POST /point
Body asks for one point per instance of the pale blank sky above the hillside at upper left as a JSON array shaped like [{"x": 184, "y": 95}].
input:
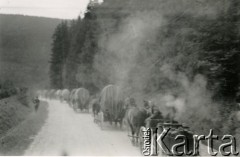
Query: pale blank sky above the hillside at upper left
[{"x": 64, "y": 9}]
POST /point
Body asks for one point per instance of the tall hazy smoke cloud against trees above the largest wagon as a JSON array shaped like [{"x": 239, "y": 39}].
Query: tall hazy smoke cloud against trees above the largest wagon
[{"x": 122, "y": 50}]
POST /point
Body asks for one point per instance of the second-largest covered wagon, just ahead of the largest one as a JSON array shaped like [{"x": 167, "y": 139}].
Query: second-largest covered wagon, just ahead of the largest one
[{"x": 81, "y": 99}]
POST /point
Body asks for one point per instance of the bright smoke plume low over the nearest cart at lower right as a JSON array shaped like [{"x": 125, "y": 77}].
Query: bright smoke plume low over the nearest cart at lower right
[{"x": 193, "y": 102}]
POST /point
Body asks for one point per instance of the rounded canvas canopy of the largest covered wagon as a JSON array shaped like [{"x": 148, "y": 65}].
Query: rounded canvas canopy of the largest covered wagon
[{"x": 112, "y": 100}]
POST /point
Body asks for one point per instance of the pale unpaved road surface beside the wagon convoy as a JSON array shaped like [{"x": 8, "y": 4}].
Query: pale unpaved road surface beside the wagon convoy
[{"x": 68, "y": 133}]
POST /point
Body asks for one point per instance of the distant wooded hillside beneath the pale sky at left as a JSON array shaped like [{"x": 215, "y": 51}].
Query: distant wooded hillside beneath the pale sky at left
[{"x": 25, "y": 46}]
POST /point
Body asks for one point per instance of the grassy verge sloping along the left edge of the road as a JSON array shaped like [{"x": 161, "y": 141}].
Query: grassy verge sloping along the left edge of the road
[{"x": 17, "y": 140}]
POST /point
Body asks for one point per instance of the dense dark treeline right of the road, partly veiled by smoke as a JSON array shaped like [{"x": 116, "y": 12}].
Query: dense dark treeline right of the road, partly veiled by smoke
[{"x": 178, "y": 52}]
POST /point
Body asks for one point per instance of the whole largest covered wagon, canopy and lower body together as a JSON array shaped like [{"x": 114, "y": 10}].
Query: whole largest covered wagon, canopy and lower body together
[{"x": 112, "y": 104}]
